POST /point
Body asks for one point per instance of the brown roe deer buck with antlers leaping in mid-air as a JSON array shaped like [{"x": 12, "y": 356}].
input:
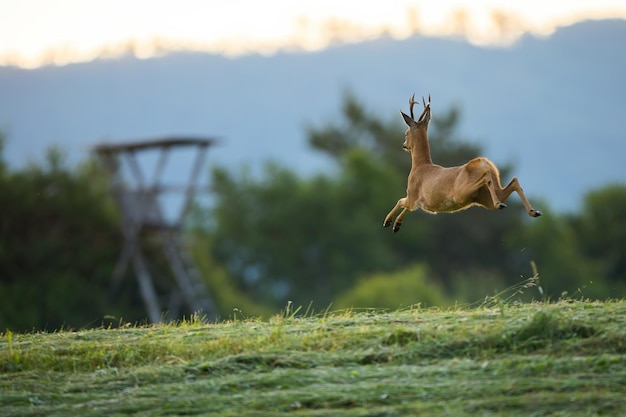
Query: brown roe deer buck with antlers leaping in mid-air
[{"x": 437, "y": 189}]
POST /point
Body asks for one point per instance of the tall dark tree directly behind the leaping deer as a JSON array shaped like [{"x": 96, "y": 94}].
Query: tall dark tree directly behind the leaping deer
[{"x": 476, "y": 237}]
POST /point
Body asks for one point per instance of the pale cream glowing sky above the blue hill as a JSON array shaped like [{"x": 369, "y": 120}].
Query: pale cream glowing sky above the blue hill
[{"x": 41, "y": 32}]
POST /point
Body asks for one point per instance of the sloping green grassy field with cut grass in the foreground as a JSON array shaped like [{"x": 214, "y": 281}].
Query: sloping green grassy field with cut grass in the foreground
[{"x": 562, "y": 359}]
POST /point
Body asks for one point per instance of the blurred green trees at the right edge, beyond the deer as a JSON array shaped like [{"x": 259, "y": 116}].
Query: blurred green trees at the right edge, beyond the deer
[{"x": 583, "y": 254}]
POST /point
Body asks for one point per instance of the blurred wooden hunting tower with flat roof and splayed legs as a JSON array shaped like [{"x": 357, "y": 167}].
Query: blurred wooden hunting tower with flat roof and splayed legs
[{"x": 139, "y": 200}]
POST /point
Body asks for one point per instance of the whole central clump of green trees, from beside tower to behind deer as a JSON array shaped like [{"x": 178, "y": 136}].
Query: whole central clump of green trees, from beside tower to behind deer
[{"x": 283, "y": 237}]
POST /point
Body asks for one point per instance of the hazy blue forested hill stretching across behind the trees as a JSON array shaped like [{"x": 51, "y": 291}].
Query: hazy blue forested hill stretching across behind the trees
[{"x": 554, "y": 106}]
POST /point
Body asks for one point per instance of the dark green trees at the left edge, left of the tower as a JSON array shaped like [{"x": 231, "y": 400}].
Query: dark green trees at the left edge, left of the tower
[{"x": 59, "y": 240}]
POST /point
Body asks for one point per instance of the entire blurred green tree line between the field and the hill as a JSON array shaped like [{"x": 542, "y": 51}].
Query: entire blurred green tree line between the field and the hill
[{"x": 277, "y": 237}]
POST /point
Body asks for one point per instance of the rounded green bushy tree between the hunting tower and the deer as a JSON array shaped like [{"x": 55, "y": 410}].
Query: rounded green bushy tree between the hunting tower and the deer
[{"x": 286, "y": 238}]
